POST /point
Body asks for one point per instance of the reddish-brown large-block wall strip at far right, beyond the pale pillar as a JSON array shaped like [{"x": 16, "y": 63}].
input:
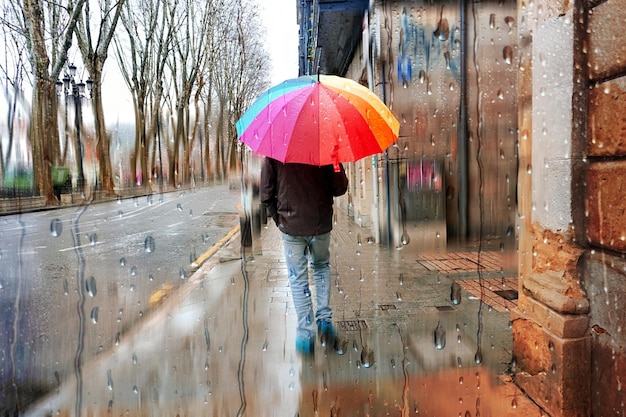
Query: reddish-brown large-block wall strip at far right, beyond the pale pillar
[{"x": 603, "y": 217}]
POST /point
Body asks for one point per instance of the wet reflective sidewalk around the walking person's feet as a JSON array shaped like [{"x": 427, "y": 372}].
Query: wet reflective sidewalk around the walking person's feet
[{"x": 416, "y": 339}]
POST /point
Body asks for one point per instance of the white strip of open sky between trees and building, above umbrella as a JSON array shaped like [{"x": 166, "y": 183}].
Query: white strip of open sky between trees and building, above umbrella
[{"x": 280, "y": 21}]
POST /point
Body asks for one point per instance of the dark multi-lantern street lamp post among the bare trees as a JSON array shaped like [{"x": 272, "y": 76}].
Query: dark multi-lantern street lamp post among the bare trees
[{"x": 69, "y": 87}]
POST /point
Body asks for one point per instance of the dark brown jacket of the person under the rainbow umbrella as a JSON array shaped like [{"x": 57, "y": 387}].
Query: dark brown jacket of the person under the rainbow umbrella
[{"x": 299, "y": 197}]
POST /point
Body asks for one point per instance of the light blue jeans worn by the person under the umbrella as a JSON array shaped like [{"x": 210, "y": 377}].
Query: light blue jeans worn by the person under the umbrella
[{"x": 299, "y": 251}]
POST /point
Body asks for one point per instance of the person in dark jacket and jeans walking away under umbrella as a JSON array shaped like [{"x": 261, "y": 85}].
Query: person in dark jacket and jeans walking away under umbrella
[{"x": 299, "y": 198}]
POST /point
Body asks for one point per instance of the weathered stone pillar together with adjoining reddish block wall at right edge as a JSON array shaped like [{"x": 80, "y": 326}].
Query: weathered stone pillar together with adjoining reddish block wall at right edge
[{"x": 569, "y": 343}]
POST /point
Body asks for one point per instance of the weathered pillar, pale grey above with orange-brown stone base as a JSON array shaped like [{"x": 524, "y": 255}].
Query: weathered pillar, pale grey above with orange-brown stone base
[{"x": 550, "y": 325}]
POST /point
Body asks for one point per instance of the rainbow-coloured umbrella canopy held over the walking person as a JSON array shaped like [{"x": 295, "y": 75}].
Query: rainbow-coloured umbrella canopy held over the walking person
[{"x": 318, "y": 120}]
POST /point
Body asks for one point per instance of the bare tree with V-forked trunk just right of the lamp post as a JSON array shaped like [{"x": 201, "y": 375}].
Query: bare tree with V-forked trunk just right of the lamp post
[{"x": 94, "y": 53}]
